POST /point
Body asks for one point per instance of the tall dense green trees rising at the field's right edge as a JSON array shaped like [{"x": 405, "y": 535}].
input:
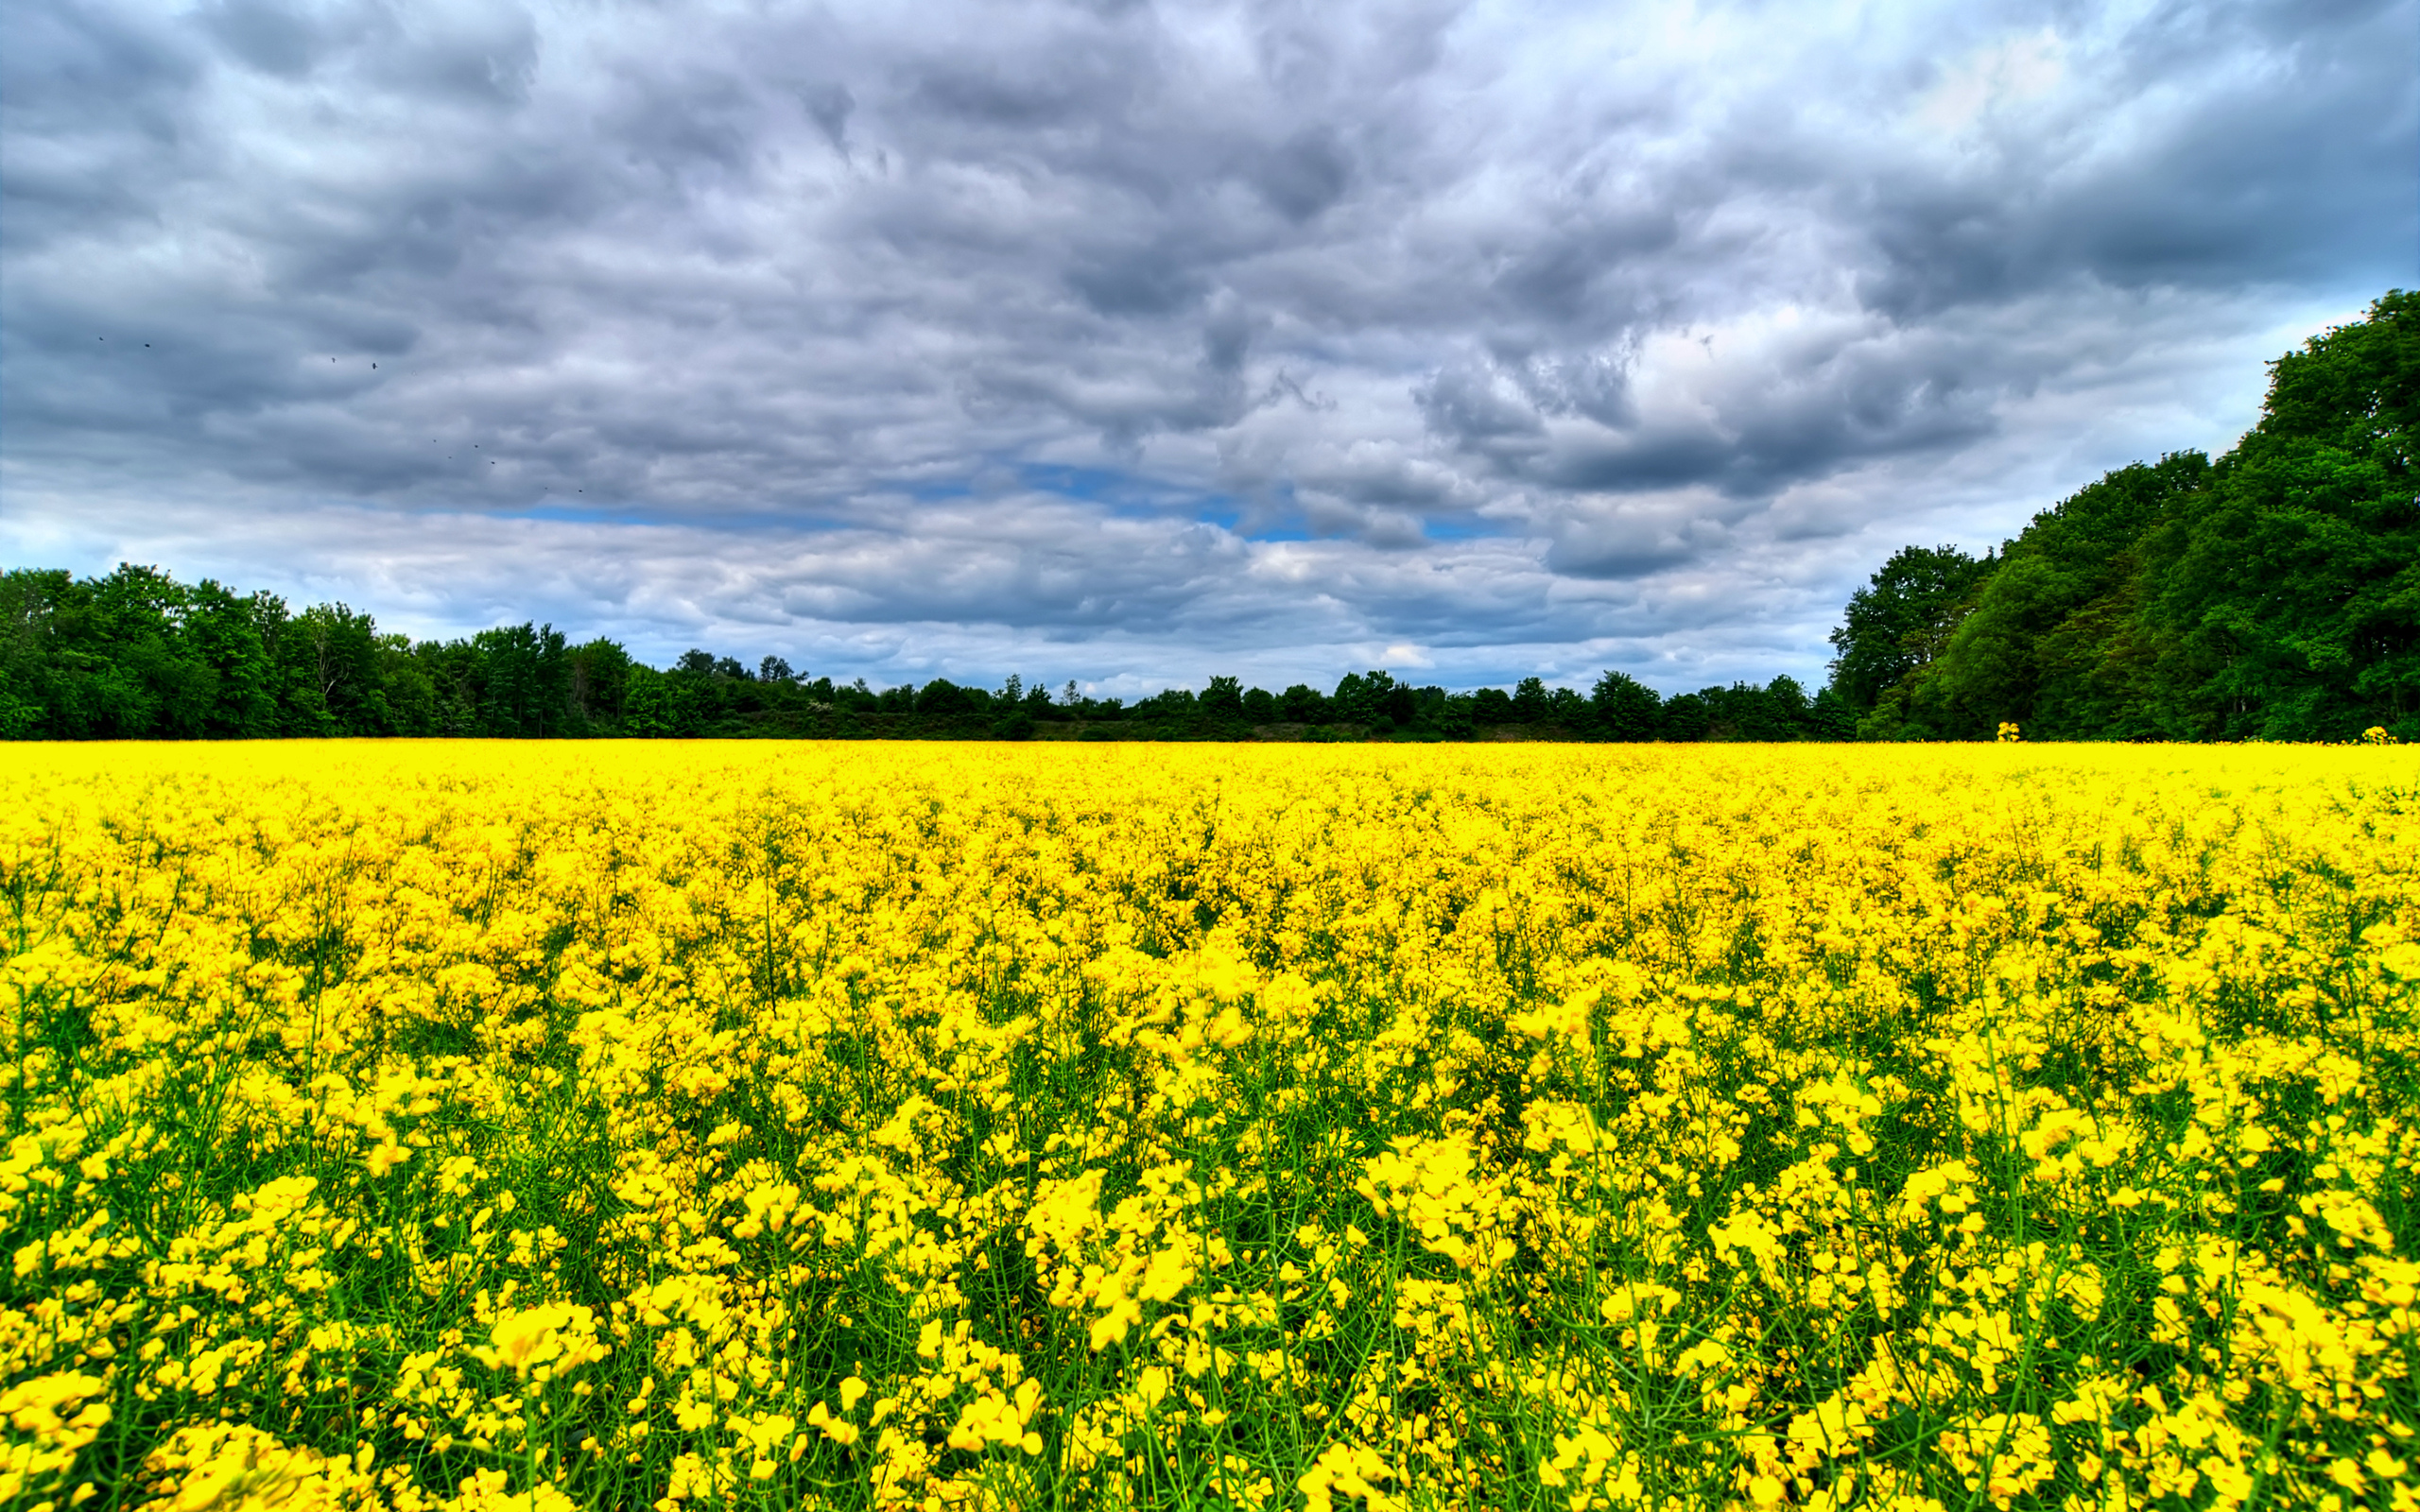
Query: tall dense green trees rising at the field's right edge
[{"x": 2271, "y": 594}]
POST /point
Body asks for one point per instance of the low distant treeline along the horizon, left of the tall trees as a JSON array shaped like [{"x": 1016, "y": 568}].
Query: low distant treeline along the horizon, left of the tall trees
[{"x": 139, "y": 654}]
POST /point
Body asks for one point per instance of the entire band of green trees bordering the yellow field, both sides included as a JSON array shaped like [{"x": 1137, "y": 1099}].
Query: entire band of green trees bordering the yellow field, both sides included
[{"x": 2271, "y": 594}]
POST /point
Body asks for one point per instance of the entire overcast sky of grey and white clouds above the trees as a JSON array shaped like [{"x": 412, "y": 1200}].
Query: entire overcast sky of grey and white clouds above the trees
[{"x": 1146, "y": 340}]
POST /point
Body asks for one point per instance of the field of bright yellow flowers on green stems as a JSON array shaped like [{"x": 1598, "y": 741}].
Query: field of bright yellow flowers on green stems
[{"x": 1318, "y": 1129}]
